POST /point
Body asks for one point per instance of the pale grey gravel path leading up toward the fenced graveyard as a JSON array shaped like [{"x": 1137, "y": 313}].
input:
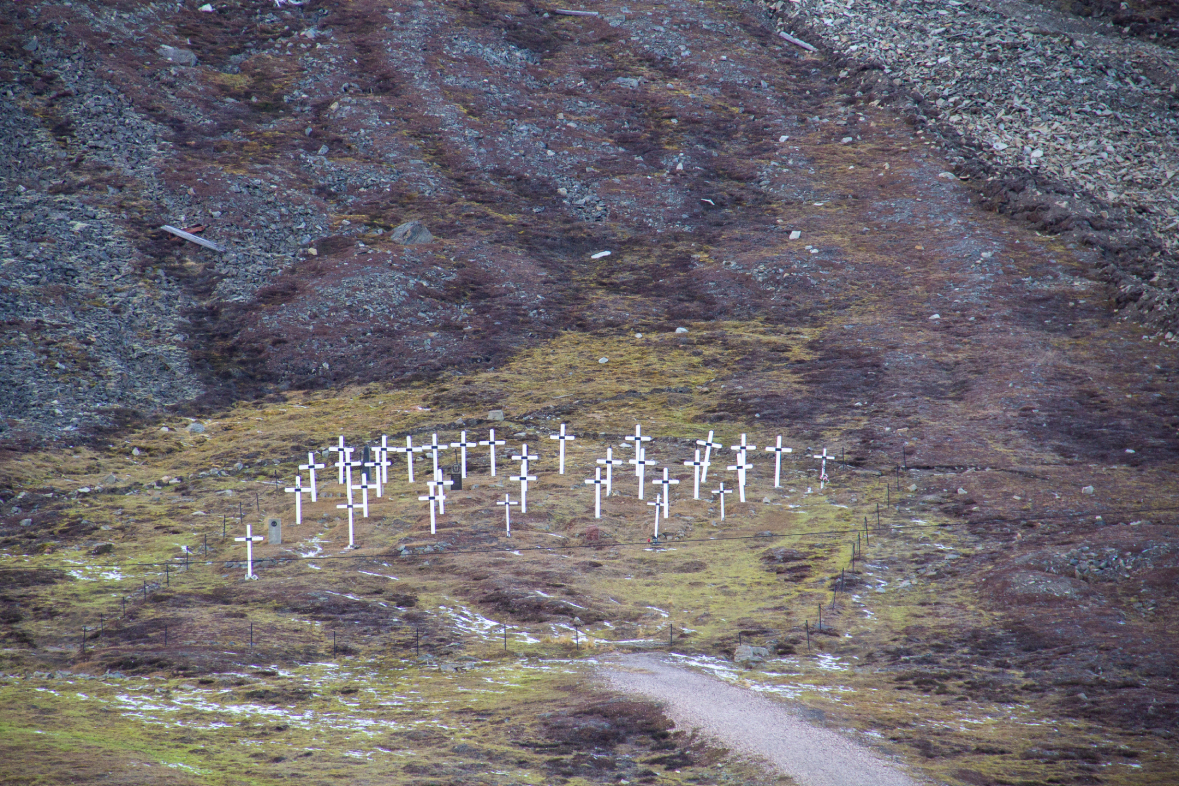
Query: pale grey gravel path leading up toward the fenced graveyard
[{"x": 749, "y": 723}]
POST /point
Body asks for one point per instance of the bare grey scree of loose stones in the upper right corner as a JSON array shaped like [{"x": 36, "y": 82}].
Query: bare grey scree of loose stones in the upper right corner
[{"x": 1076, "y": 123}]
